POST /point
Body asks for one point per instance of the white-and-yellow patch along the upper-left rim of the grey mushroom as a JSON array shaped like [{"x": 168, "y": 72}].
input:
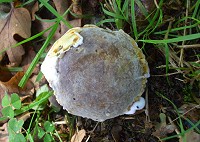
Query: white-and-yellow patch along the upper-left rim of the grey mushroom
[{"x": 71, "y": 38}]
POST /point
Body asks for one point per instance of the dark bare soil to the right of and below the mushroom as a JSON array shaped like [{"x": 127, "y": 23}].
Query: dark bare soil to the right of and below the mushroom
[{"x": 140, "y": 127}]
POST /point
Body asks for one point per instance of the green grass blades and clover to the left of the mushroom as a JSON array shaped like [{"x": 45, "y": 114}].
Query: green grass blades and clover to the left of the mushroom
[{"x": 10, "y": 112}]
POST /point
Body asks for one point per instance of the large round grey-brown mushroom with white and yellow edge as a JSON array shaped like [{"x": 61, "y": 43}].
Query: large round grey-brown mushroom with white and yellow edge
[{"x": 97, "y": 73}]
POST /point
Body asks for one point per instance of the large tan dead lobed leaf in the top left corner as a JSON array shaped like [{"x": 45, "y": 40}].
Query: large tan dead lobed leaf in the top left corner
[{"x": 16, "y": 22}]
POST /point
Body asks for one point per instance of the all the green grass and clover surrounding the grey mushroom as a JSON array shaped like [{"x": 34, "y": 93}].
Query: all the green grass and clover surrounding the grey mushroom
[{"x": 172, "y": 36}]
